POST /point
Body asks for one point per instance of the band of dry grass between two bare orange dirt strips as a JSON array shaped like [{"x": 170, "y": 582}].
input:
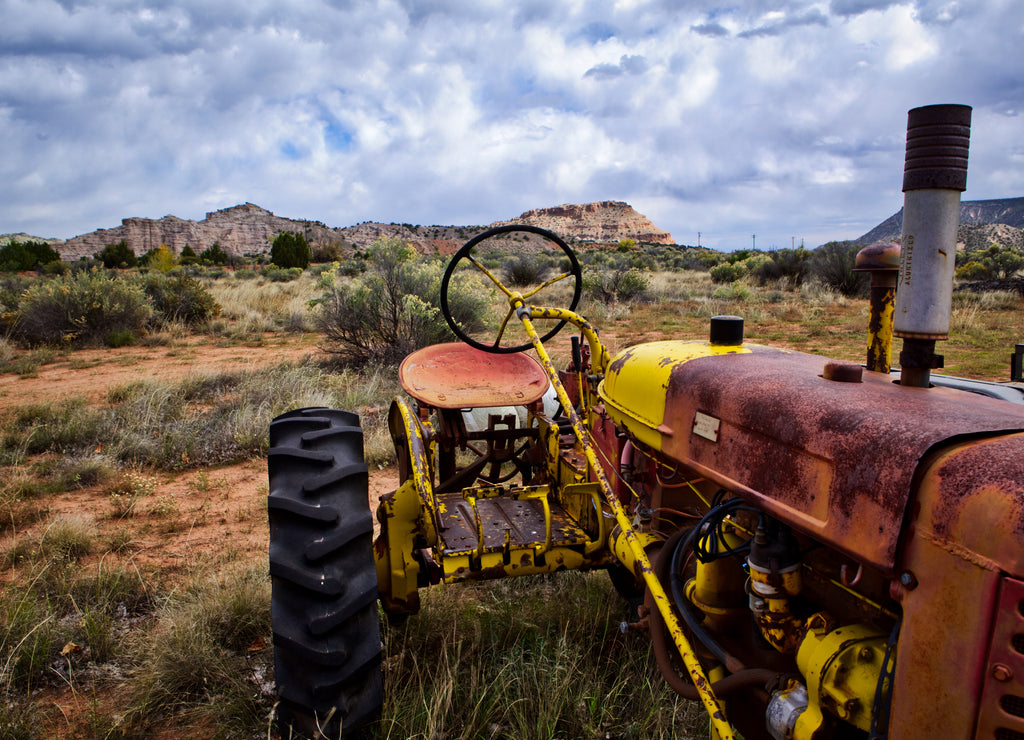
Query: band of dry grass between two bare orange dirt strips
[{"x": 202, "y": 420}]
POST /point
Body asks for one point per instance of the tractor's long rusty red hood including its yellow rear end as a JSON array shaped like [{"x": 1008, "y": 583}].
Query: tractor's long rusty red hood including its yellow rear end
[{"x": 836, "y": 460}]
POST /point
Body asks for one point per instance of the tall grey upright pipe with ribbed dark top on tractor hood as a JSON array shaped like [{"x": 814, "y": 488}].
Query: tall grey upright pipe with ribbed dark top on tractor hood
[{"x": 934, "y": 177}]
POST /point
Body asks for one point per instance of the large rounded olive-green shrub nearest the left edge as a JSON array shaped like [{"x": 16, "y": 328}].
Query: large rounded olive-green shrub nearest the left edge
[{"x": 81, "y": 310}]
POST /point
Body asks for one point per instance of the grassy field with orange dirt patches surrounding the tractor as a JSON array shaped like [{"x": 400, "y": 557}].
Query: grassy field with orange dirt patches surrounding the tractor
[{"x": 135, "y": 595}]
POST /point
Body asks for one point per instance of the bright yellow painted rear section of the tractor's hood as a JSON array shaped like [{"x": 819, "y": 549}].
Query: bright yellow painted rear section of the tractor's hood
[{"x": 635, "y": 387}]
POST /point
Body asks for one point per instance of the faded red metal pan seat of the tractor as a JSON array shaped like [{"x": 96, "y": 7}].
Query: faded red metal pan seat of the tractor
[{"x": 457, "y": 376}]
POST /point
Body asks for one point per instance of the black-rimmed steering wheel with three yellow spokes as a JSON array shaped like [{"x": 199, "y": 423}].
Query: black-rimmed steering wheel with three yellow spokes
[{"x": 466, "y": 254}]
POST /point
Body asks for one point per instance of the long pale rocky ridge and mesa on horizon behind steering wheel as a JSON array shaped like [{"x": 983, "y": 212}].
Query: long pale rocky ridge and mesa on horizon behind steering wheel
[{"x": 250, "y": 230}]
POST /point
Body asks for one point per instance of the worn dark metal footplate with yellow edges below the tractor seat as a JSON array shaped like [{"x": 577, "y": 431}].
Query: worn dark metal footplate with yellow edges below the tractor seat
[{"x": 506, "y": 524}]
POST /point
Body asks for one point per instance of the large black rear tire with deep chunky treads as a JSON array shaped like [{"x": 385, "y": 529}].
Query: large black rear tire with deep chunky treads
[{"x": 327, "y": 643}]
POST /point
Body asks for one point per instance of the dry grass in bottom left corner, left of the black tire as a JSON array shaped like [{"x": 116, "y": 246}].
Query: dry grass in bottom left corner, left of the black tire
[{"x": 198, "y": 654}]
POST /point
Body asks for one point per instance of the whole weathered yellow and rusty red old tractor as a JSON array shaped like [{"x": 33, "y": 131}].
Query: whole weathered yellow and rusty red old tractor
[{"x": 820, "y": 549}]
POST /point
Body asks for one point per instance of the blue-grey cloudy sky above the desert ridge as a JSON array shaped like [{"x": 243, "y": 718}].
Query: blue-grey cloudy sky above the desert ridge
[{"x": 785, "y": 119}]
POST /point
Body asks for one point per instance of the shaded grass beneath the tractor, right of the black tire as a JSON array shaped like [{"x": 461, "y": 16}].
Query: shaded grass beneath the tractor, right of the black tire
[{"x": 529, "y": 658}]
